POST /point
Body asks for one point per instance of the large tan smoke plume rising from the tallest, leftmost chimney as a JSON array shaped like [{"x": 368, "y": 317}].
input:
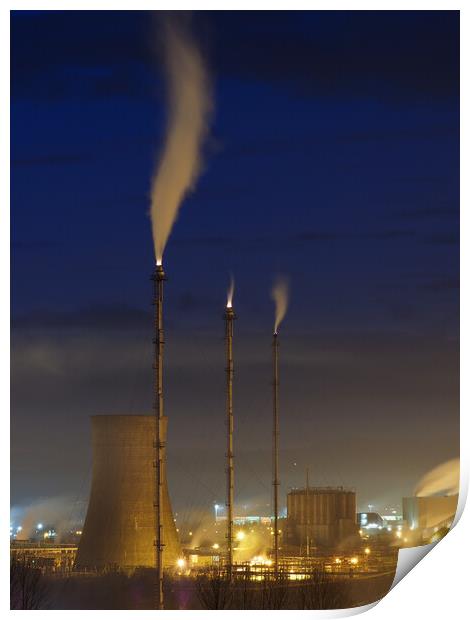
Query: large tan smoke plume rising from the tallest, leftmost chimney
[{"x": 190, "y": 104}]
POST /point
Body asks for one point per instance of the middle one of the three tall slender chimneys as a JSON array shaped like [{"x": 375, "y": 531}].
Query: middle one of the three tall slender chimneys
[{"x": 229, "y": 318}]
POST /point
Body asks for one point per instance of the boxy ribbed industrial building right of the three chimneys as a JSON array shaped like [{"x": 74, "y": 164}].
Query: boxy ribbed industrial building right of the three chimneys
[{"x": 321, "y": 516}]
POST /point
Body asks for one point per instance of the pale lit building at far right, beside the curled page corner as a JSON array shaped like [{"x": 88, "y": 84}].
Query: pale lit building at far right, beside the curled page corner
[{"x": 422, "y": 513}]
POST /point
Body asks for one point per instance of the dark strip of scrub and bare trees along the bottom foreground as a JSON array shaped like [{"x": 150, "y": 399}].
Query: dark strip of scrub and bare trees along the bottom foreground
[{"x": 211, "y": 590}]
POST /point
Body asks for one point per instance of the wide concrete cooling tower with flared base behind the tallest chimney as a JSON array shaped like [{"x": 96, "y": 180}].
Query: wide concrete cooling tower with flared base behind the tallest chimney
[{"x": 119, "y": 528}]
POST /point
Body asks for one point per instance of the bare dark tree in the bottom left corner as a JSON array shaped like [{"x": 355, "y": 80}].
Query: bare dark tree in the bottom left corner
[{"x": 27, "y": 585}]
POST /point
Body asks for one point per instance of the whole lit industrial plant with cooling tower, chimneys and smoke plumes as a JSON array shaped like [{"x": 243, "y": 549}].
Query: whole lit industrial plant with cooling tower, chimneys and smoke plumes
[{"x": 130, "y": 528}]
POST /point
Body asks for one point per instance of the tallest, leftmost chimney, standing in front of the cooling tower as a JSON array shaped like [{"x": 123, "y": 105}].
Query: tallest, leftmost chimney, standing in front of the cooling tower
[{"x": 159, "y": 278}]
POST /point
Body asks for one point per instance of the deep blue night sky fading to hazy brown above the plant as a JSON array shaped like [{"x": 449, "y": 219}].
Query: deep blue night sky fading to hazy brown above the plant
[{"x": 333, "y": 158}]
